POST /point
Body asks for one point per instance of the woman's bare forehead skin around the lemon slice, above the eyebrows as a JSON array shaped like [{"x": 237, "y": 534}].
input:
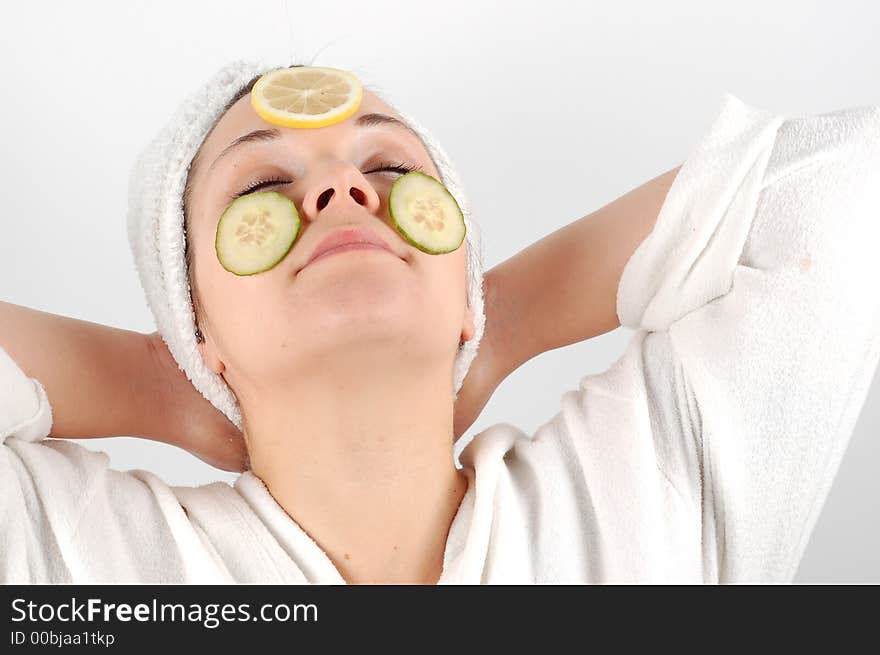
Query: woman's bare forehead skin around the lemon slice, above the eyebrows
[{"x": 241, "y": 118}]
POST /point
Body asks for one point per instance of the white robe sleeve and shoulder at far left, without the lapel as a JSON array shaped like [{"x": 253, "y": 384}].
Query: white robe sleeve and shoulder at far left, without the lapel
[{"x": 67, "y": 517}]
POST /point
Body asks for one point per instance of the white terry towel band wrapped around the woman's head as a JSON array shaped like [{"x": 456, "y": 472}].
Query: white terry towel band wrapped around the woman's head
[{"x": 156, "y": 229}]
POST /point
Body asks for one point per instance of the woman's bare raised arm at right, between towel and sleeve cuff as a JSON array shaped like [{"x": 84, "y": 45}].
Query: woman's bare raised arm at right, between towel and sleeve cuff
[{"x": 563, "y": 288}]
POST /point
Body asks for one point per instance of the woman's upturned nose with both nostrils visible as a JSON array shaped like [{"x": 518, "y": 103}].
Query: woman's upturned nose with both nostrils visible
[{"x": 339, "y": 186}]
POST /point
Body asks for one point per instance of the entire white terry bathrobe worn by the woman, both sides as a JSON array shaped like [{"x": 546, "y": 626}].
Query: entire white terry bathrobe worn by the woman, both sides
[{"x": 704, "y": 454}]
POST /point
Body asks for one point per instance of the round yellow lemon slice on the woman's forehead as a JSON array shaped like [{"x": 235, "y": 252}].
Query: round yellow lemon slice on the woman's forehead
[{"x": 306, "y": 96}]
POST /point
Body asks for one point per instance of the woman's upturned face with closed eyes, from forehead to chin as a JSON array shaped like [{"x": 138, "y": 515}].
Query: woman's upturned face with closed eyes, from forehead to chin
[{"x": 261, "y": 329}]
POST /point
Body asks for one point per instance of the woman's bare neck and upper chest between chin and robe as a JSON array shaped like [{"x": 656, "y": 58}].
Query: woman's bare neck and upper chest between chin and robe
[{"x": 364, "y": 464}]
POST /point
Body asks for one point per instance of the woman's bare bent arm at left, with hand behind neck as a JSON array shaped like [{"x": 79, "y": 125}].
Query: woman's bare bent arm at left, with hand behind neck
[{"x": 103, "y": 381}]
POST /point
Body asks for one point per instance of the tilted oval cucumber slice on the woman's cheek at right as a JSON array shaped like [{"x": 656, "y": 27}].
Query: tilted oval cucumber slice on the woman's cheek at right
[{"x": 426, "y": 214}]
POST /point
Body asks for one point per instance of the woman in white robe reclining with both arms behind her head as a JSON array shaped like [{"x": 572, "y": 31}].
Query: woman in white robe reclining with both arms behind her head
[{"x": 702, "y": 455}]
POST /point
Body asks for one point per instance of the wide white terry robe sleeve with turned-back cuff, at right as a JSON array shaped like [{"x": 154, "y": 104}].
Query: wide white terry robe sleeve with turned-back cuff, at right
[{"x": 756, "y": 306}]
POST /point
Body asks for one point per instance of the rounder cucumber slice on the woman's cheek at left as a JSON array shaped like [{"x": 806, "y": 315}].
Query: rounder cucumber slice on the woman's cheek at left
[{"x": 255, "y": 232}]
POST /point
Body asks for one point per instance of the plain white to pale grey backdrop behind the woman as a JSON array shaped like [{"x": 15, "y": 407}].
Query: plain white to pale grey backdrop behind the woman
[{"x": 549, "y": 109}]
